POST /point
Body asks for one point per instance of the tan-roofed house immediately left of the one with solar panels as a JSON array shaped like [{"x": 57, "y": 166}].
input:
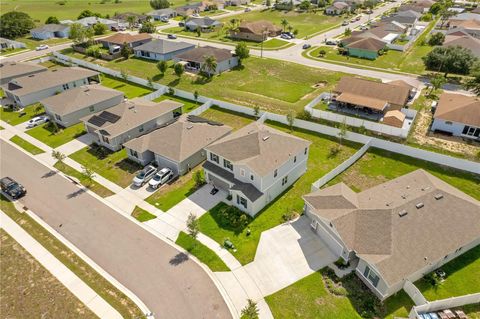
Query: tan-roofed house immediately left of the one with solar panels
[{"x": 67, "y": 108}]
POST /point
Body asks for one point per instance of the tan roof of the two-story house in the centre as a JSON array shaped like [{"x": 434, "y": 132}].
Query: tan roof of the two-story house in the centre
[{"x": 260, "y": 147}]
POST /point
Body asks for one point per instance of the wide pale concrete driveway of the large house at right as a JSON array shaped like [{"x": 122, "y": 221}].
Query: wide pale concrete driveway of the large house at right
[{"x": 286, "y": 254}]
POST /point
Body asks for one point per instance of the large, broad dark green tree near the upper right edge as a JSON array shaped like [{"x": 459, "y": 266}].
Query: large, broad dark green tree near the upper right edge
[{"x": 452, "y": 59}]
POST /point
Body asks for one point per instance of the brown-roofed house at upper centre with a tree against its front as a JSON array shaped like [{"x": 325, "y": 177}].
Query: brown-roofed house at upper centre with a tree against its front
[{"x": 194, "y": 59}]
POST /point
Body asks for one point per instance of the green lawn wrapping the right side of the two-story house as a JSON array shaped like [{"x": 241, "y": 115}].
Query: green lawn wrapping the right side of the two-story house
[{"x": 319, "y": 163}]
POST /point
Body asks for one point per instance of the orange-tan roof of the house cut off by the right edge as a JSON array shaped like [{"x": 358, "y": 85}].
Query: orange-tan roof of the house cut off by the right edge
[{"x": 458, "y": 108}]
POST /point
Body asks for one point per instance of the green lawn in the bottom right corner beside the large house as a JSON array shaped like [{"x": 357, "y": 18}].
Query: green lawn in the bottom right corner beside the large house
[{"x": 463, "y": 277}]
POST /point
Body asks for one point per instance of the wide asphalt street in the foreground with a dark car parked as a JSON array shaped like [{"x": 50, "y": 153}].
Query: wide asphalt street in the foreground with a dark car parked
[{"x": 156, "y": 272}]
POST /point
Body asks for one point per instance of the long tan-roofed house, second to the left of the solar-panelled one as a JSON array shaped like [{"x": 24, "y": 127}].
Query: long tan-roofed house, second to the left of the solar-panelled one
[{"x": 32, "y": 88}]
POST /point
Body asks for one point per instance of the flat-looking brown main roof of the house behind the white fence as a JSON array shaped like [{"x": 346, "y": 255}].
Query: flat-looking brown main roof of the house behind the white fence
[{"x": 393, "y": 94}]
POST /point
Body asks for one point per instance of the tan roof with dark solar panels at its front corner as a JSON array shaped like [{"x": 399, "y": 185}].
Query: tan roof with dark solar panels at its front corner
[{"x": 129, "y": 115}]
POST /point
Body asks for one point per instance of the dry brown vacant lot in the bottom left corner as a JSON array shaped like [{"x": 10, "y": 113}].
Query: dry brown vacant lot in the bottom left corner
[{"x": 29, "y": 290}]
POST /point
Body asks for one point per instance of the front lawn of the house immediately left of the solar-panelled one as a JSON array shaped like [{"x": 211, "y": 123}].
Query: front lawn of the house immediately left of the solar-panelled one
[{"x": 46, "y": 134}]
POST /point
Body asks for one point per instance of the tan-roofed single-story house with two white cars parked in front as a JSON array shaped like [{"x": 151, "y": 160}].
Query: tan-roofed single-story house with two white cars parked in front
[{"x": 177, "y": 145}]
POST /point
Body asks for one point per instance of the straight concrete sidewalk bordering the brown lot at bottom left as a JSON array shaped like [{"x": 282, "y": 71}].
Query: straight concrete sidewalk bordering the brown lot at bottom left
[{"x": 80, "y": 289}]
